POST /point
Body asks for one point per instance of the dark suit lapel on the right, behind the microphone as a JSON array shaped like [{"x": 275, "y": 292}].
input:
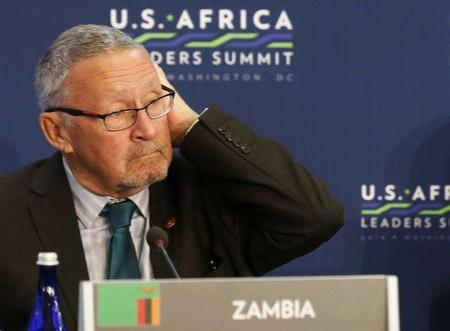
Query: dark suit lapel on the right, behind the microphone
[{"x": 162, "y": 214}]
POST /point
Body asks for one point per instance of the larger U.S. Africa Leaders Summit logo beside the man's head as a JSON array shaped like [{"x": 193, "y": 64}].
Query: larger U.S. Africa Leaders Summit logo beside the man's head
[{"x": 214, "y": 44}]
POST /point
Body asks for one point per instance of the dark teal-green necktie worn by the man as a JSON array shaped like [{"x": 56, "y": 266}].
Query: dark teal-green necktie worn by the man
[{"x": 123, "y": 262}]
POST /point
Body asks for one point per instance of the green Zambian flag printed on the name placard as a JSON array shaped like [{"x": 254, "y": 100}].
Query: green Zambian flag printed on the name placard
[{"x": 128, "y": 305}]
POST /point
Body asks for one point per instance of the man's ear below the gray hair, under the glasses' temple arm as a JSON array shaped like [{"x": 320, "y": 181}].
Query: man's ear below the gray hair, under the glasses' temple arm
[{"x": 55, "y": 131}]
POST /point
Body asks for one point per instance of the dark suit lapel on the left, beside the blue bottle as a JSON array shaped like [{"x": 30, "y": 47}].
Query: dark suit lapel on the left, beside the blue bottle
[{"x": 56, "y": 223}]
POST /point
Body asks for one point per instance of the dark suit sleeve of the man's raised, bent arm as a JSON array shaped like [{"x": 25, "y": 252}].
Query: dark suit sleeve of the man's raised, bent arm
[{"x": 286, "y": 210}]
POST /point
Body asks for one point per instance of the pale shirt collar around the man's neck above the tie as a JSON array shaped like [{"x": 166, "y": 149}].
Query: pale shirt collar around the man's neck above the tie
[{"x": 88, "y": 205}]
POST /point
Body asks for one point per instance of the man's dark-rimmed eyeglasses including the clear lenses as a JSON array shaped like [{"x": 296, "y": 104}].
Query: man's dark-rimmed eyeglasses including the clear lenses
[{"x": 126, "y": 118}]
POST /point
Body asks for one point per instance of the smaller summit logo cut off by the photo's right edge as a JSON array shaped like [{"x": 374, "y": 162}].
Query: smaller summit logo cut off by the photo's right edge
[{"x": 420, "y": 212}]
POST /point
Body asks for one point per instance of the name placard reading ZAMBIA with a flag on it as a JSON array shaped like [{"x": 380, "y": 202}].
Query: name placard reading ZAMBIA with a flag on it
[{"x": 347, "y": 303}]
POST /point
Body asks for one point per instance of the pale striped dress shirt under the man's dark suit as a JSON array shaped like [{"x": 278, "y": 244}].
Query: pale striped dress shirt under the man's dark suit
[{"x": 96, "y": 230}]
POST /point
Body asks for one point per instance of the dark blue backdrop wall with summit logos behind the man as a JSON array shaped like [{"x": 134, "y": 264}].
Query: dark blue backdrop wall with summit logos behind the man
[{"x": 357, "y": 90}]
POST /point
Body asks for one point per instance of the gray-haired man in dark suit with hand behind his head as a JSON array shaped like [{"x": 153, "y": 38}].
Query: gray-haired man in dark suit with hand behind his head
[{"x": 233, "y": 203}]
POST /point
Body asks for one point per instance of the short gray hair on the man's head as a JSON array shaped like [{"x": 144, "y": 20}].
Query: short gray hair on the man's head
[{"x": 77, "y": 43}]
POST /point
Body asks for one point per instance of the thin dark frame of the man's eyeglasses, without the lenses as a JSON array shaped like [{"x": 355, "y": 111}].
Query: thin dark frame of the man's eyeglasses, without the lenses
[{"x": 77, "y": 112}]
